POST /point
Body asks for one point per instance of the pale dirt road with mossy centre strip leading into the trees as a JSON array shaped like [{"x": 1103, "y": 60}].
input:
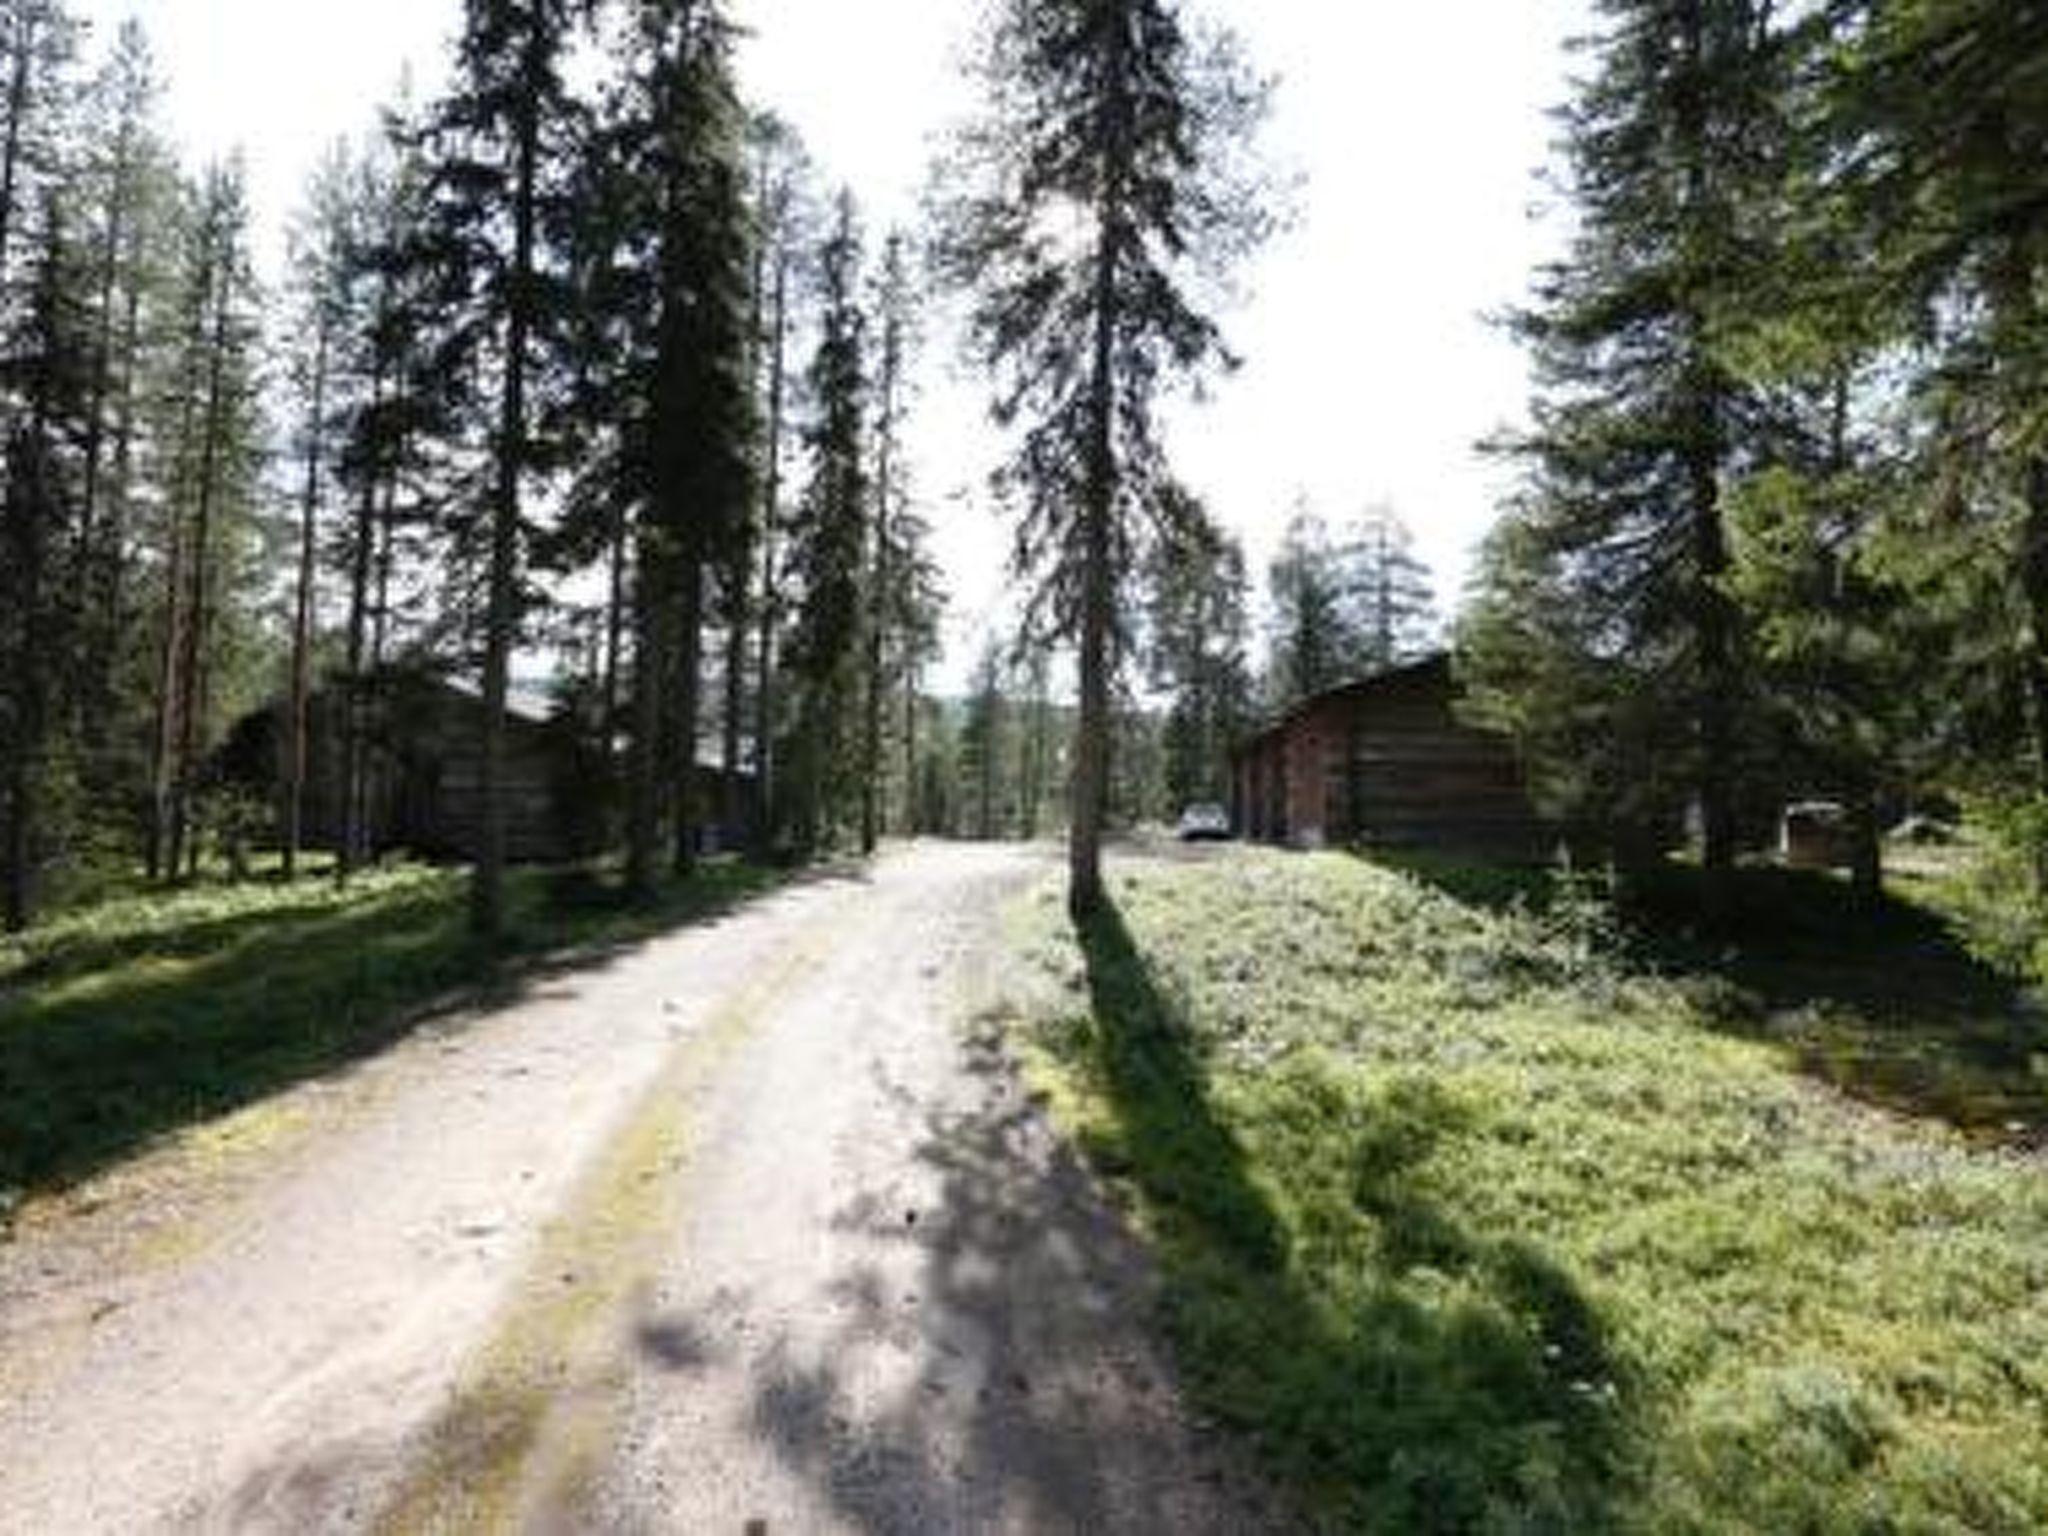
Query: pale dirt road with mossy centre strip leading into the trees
[{"x": 740, "y": 1232}]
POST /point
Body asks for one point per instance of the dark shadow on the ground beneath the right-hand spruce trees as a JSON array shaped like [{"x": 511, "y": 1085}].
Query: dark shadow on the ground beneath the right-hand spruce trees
[{"x": 1885, "y": 1000}]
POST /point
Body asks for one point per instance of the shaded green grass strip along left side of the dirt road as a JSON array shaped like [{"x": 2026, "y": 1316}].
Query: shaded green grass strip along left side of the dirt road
[{"x": 161, "y": 1011}]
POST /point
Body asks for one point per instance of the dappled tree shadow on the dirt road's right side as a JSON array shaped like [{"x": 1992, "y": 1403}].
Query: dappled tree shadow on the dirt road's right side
[{"x": 1009, "y": 1320}]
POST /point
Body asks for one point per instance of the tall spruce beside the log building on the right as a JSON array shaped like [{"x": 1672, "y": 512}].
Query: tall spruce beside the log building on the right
[{"x": 1639, "y": 417}]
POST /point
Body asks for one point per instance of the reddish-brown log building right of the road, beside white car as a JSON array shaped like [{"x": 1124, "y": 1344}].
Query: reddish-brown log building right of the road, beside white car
[{"x": 1385, "y": 763}]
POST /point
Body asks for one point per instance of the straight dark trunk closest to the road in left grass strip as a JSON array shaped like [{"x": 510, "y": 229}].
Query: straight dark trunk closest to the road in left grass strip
[{"x": 486, "y": 910}]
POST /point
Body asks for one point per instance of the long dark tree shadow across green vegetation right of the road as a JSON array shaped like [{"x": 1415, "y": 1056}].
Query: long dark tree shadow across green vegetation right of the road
[{"x": 1416, "y": 1375}]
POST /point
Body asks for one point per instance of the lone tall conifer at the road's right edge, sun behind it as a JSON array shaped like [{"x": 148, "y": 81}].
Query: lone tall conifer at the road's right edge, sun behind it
[{"x": 1093, "y": 202}]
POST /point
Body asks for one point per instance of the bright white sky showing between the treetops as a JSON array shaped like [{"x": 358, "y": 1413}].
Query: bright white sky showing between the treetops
[{"x": 1371, "y": 372}]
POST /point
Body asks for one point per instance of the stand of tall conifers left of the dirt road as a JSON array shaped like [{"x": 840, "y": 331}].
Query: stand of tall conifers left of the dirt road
[{"x": 587, "y": 390}]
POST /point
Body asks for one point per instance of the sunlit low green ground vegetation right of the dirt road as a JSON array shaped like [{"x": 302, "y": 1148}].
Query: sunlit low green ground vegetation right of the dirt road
[{"x": 1480, "y": 1222}]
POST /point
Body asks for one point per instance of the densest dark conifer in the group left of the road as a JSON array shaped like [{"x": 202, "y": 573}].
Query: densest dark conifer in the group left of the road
[{"x": 679, "y": 284}]
